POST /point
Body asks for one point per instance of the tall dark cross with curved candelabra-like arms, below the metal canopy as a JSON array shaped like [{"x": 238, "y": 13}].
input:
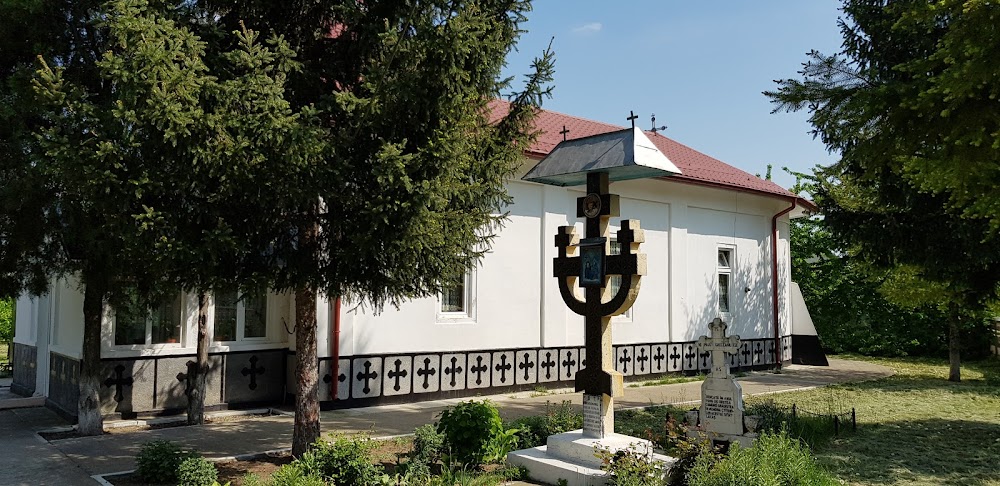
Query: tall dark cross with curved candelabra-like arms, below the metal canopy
[{"x": 592, "y": 269}]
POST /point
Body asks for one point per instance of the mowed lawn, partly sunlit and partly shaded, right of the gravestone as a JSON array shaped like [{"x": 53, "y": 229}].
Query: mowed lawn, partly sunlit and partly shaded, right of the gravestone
[{"x": 914, "y": 428}]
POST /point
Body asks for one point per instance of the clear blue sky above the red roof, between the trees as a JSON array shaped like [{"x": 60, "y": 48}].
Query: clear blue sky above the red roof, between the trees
[{"x": 700, "y": 66}]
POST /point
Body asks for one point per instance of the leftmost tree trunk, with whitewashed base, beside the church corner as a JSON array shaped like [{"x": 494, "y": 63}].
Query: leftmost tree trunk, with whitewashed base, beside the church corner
[{"x": 89, "y": 417}]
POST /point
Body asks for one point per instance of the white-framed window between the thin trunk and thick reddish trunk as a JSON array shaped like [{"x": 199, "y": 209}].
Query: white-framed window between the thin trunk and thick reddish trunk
[{"x": 239, "y": 318}]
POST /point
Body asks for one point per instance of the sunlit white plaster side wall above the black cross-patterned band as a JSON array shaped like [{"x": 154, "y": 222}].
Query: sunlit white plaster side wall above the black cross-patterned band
[{"x": 518, "y": 302}]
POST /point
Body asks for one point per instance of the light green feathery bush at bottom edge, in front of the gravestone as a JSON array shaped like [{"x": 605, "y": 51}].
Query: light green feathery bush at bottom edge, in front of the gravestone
[{"x": 774, "y": 460}]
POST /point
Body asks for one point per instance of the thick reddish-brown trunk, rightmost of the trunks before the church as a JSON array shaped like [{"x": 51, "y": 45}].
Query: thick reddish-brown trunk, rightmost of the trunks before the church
[{"x": 306, "y": 429}]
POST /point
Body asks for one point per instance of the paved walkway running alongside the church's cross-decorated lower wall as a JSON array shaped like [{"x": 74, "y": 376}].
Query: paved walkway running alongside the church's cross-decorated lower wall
[{"x": 115, "y": 452}]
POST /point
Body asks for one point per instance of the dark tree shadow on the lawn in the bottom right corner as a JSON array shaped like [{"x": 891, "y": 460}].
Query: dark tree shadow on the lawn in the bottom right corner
[{"x": 936, "y": 451}]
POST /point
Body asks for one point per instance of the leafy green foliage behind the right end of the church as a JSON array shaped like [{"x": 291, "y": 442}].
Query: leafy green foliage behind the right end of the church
[{"x": 847, "y": 296}]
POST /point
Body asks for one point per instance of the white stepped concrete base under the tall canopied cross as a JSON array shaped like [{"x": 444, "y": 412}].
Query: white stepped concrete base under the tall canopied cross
[{"x": 570, "y": 456}]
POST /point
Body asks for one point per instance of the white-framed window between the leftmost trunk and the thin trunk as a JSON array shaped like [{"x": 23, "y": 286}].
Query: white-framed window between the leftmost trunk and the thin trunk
[{"x": 139, "y": 324}]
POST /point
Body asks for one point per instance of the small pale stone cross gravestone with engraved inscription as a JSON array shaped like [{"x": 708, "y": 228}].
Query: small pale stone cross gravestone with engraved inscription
[{"x": 720, "y": 416}]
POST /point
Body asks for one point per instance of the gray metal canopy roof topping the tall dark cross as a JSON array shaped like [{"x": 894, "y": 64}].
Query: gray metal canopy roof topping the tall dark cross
[{"x": 625, "y": 154}]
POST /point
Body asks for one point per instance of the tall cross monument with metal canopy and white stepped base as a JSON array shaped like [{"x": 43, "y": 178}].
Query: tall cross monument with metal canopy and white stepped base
[{"x": 588, "y": 265}]
